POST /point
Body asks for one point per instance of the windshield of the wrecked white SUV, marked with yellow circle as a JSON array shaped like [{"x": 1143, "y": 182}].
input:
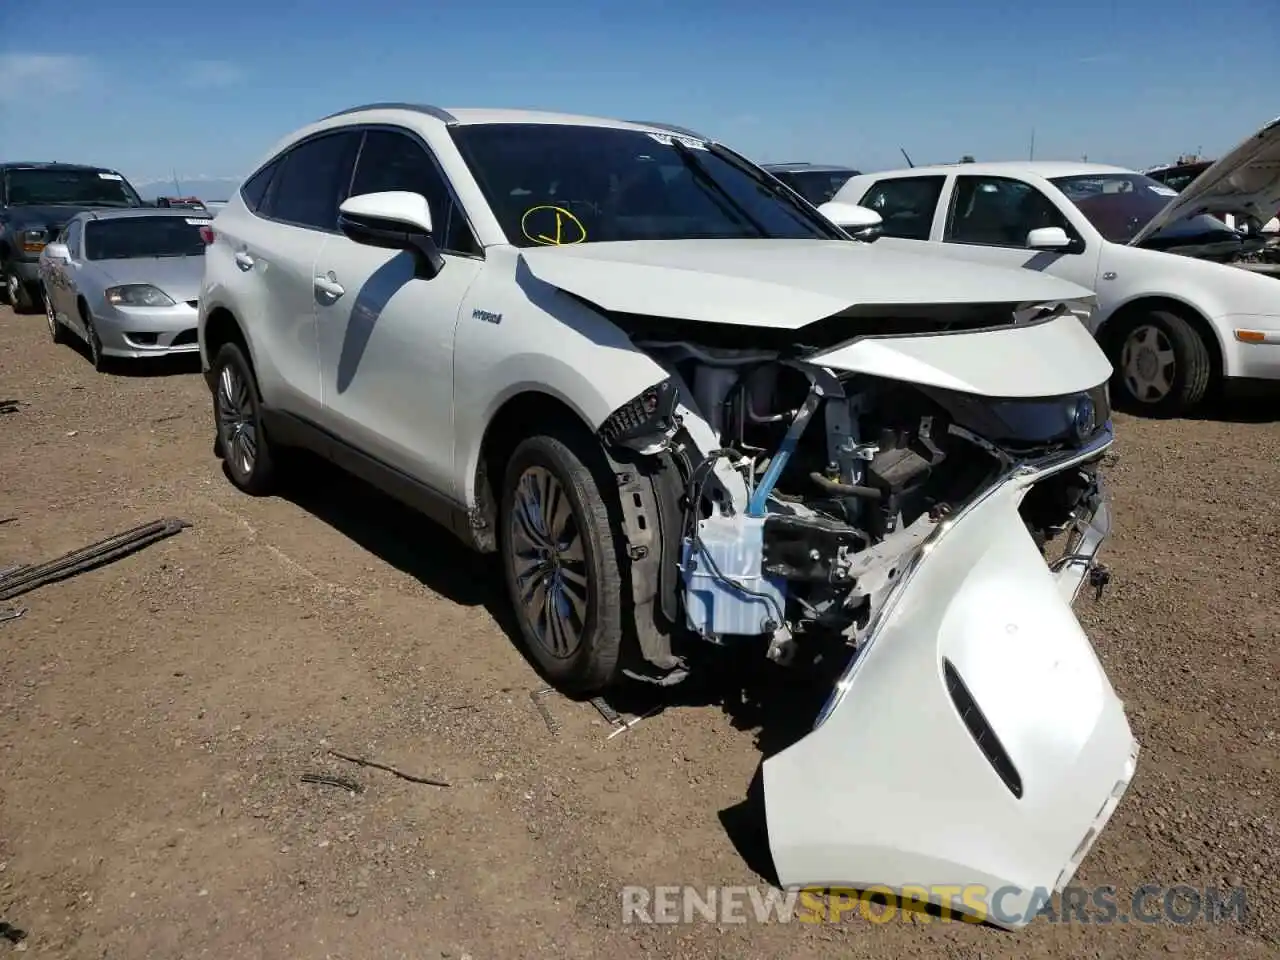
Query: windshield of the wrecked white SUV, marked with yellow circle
[{"x": 563, "y": 184}]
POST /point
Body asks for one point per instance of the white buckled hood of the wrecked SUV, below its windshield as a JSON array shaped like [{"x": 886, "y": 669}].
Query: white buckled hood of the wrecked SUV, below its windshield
[{"x": 776, "y": 284}]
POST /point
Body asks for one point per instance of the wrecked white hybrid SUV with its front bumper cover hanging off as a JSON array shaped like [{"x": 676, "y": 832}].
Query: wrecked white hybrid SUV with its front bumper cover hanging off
[{"x": 685, "y": 408}]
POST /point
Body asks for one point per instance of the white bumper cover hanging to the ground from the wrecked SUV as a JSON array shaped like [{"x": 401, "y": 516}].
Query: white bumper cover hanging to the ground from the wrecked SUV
[{"x": 976, "y": 743}]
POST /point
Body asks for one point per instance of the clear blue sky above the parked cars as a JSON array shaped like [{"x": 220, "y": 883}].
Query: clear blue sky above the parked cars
[{"x": 149, "y": 88}]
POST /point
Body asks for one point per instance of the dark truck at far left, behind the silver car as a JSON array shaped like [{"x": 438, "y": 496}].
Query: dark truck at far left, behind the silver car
[{"x": 36, "y": 202}]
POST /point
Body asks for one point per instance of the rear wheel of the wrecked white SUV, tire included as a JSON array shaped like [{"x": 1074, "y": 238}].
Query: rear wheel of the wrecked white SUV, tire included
[{"x": 246, "y": 454}]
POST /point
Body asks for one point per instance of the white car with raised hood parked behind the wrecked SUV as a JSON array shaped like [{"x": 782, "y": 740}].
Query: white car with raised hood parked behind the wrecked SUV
[{"x": 1169, "y": 324}]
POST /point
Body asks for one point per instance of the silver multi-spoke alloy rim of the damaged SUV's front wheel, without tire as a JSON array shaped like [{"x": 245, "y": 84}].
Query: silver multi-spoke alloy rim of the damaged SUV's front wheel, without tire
[{"x": 550, "y": 563}]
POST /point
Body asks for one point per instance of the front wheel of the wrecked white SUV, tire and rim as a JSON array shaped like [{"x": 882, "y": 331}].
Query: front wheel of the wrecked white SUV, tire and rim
[{"x": 561, "y": 561}]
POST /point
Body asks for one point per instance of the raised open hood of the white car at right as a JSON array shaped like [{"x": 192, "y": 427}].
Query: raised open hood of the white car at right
[{"x": 1246, "y": 181}]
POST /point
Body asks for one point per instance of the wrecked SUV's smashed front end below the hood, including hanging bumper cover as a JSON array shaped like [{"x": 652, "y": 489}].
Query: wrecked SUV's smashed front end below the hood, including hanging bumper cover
[{"x": 932, "y": 502}]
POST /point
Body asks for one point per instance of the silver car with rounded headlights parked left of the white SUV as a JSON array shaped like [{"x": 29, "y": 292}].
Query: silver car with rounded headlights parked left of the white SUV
[{"x": 126, "y": 282}]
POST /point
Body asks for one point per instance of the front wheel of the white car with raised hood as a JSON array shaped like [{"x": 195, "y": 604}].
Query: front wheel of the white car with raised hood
[{"x": 1163, "y": 365}]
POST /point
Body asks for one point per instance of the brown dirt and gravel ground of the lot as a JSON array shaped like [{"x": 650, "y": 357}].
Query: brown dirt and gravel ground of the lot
[{"x": 157, "y": 716}]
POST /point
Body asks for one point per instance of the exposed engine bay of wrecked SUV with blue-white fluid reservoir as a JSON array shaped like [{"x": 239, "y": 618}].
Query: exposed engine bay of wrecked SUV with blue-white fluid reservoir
[{"x": 801, "y": 510}]
